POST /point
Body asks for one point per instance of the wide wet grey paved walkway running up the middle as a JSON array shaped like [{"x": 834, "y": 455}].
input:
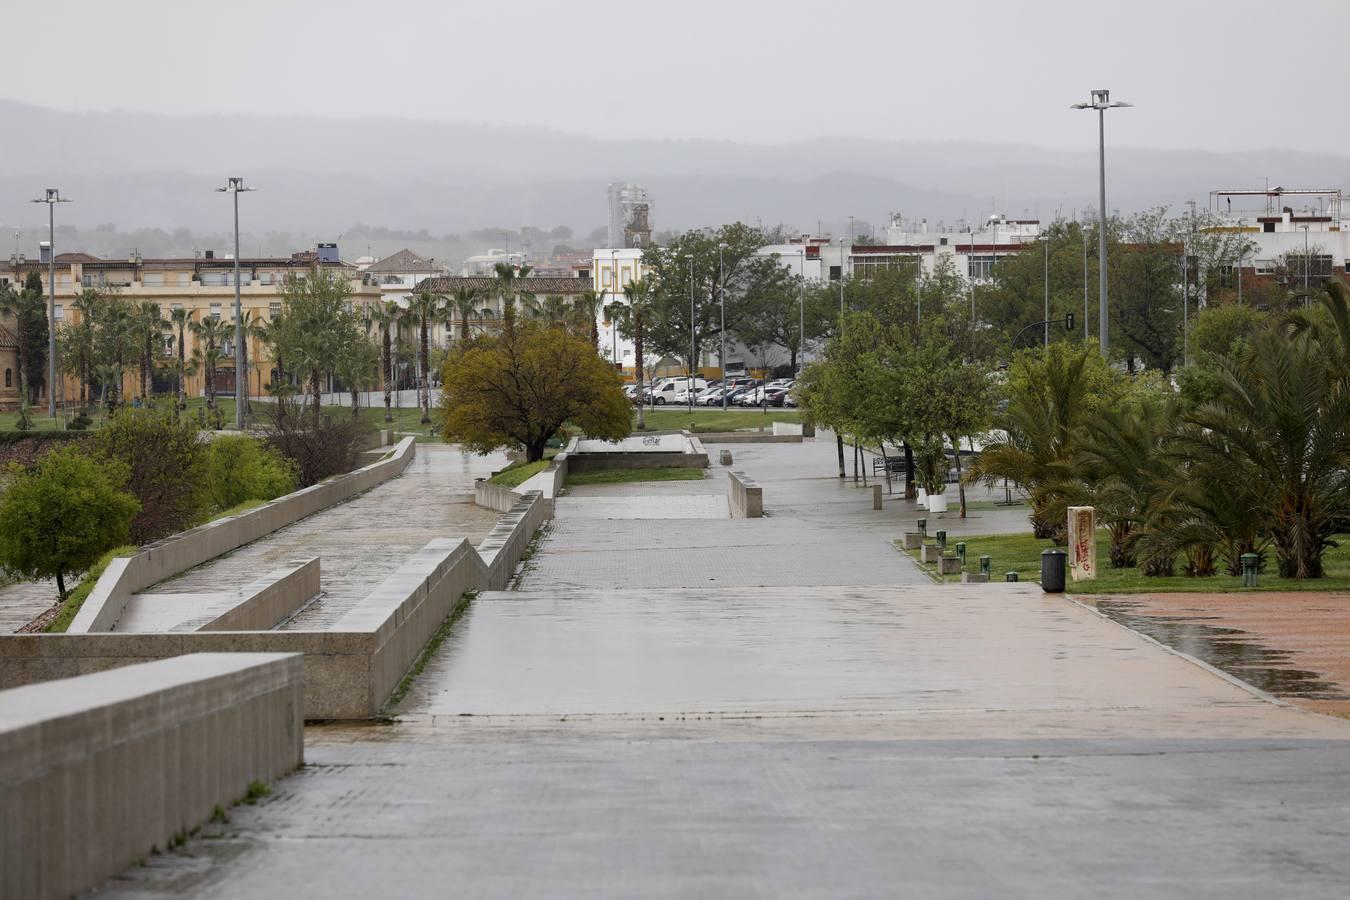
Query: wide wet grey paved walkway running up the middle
[{"x": 596, "y": 736}]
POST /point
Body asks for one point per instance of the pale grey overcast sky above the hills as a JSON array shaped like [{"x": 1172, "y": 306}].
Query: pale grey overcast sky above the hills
[{"x": 1216, "y": 75}]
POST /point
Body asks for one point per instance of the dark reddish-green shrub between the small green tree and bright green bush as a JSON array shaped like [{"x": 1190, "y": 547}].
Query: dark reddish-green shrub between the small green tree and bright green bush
[{"x": 168, "y": 469}]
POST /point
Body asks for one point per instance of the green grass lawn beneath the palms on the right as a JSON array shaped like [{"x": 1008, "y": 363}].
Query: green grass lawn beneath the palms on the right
[{"x": 1023, "y": 554}]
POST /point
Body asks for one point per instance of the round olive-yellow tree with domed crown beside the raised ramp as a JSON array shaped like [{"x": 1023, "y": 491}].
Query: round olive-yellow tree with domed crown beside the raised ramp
[{"x": 518, "y": 389}]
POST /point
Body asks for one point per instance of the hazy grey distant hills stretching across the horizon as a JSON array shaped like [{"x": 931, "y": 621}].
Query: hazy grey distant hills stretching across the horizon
[{"x": 321, "y": 175}]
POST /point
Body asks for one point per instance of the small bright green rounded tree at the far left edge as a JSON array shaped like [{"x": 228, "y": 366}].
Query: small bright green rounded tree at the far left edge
[{"x": 61, "y": 516}]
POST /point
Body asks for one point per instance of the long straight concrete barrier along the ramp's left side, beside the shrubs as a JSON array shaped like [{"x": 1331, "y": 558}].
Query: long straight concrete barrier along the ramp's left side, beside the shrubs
[{"x": 179, "y": 554}]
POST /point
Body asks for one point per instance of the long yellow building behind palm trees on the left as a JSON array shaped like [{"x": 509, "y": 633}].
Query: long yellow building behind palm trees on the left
[{"x": 203, "y": 285}]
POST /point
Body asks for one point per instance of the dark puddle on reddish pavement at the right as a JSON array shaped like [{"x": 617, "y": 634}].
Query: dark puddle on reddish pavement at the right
[{"x": 1231, "y": 651}]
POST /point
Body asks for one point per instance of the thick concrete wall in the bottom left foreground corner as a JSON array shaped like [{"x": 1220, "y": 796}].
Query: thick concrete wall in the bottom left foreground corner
[{"x": 98, "y": 771}]
